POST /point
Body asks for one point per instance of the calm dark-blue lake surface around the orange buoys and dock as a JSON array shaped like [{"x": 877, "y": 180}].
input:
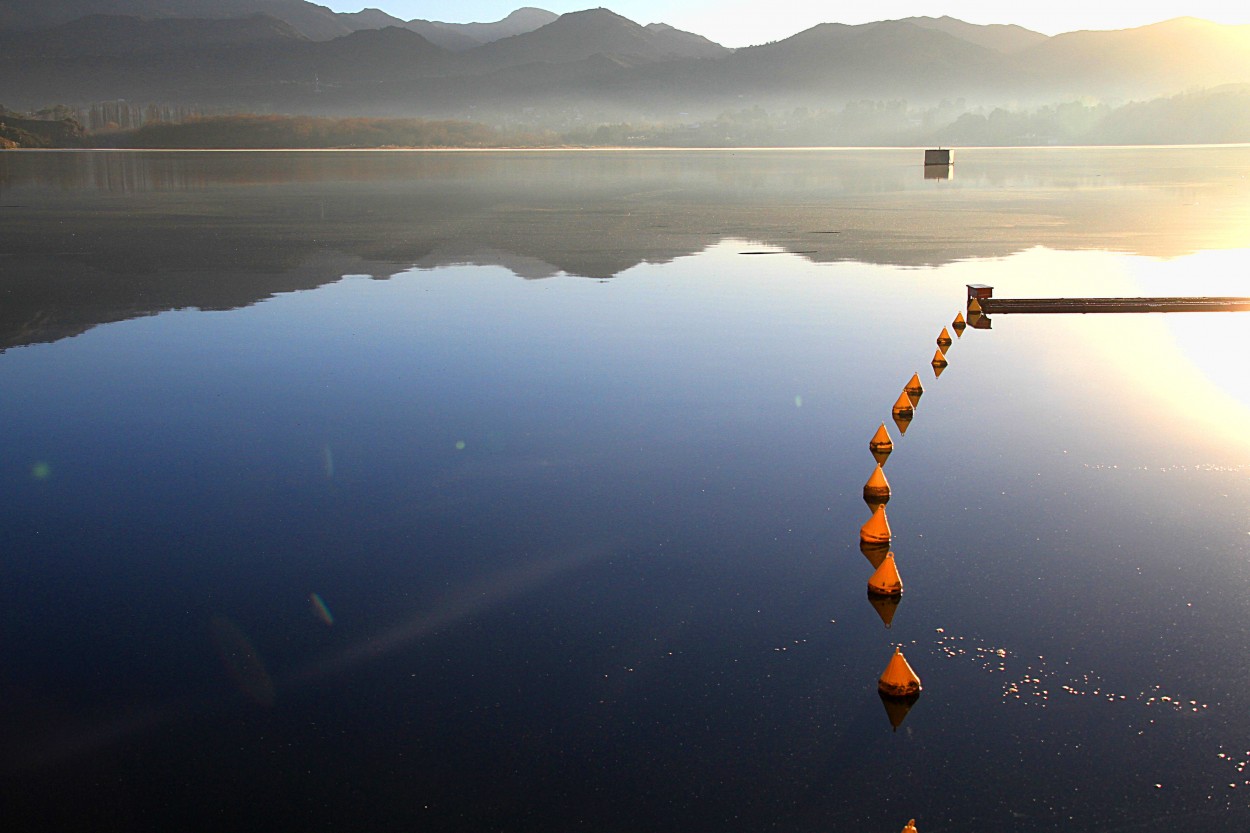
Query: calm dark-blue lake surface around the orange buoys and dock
[{"x": 522, "y": 492}]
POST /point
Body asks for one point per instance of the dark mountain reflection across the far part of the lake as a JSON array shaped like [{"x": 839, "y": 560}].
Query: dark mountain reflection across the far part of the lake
[{"x": 147, "y": 232}]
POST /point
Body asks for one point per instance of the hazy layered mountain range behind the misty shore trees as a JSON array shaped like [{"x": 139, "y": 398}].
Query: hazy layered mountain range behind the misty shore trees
[{"x": 586, "y": 67}]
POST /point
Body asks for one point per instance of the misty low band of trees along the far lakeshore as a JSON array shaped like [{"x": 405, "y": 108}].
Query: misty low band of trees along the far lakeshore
[{"x": 1219, "y": 116}]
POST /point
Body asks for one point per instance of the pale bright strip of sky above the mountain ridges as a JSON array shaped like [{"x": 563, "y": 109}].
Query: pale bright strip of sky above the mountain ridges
[{"x": 744, "y": 23}]
